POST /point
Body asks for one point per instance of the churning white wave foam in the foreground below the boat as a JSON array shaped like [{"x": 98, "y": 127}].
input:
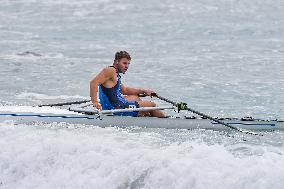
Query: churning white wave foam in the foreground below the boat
[{"x": 39, "y": 157}]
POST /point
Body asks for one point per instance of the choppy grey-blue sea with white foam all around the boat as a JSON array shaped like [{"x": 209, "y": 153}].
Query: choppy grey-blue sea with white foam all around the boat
[{"x": 224, "y": 58}]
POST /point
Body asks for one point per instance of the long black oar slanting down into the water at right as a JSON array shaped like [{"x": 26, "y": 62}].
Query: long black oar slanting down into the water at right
[{"x": 183, "y": 106}]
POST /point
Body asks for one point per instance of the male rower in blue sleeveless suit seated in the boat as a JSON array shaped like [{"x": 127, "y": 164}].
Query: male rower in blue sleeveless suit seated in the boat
[{"x": 114, "y": 95}]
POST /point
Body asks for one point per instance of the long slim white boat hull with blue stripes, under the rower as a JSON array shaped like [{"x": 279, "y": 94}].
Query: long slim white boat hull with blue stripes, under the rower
[{"x": 145, "y": 122}]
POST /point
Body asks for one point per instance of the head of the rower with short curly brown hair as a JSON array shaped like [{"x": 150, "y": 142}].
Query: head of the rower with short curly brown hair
[{"x": 121, "y": 61}]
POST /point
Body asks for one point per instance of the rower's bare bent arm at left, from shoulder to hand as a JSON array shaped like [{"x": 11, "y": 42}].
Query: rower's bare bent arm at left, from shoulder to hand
[{"x": 102, "y": 77}]
